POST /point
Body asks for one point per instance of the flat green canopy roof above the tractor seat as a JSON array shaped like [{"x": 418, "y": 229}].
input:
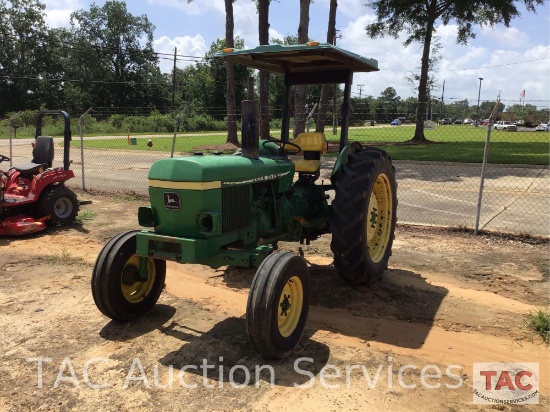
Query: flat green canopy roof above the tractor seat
[{"x": 303, "y": 58}]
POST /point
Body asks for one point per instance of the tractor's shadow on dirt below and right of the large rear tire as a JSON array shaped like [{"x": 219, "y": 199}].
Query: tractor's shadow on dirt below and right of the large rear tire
[{"x": 398, "y": 310}]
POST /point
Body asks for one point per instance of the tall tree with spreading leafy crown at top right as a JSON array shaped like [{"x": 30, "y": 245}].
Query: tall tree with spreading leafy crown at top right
[{"x": 417, "y": 18}]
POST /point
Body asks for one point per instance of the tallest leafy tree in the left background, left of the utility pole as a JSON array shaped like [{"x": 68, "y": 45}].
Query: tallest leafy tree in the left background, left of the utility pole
[{"x": 113, "y": 55}]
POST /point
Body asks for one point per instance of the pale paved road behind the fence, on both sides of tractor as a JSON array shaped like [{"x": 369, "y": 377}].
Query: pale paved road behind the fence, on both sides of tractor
[{"x": 516, "y": 199}]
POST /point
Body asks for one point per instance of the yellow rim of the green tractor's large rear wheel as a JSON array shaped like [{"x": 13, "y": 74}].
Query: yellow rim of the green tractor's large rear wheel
[{"x": 379, "y": 218}]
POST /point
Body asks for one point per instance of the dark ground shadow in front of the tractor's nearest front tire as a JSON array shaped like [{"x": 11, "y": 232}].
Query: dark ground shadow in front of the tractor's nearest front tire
[{"x": 224, "y": 356}]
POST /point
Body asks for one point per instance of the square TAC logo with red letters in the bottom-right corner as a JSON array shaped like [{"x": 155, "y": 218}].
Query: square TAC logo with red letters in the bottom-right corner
[{"x": 506, "y": 383}]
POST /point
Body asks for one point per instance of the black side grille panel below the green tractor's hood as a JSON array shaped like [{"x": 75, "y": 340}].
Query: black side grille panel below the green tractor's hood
[{"x": 235, "y": 208}]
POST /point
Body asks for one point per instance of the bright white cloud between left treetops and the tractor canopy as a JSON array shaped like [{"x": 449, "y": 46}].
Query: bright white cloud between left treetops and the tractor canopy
[{"x": 186, "y": 46}]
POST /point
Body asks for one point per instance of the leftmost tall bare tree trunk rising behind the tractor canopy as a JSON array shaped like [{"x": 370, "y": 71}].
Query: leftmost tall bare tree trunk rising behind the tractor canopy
[{"x": 230, "y": 79}]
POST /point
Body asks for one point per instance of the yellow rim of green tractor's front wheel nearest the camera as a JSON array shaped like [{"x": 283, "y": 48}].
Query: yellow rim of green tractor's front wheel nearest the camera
[{"x": 290, "y": 306}]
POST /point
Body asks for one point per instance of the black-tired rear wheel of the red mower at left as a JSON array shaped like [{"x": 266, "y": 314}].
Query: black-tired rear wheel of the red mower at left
[{"x": 60, "y": 203}]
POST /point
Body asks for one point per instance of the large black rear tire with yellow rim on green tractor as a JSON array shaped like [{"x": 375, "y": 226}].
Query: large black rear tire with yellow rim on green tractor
[{"x": 364, "y": 216}]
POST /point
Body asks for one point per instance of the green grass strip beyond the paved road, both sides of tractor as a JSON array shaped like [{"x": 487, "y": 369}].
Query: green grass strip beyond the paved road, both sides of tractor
[{"x": 452, "y": 144}]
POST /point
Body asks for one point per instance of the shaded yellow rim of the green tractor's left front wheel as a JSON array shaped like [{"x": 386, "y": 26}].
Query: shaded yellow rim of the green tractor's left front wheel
[{"x": 133, "y": 287}]
